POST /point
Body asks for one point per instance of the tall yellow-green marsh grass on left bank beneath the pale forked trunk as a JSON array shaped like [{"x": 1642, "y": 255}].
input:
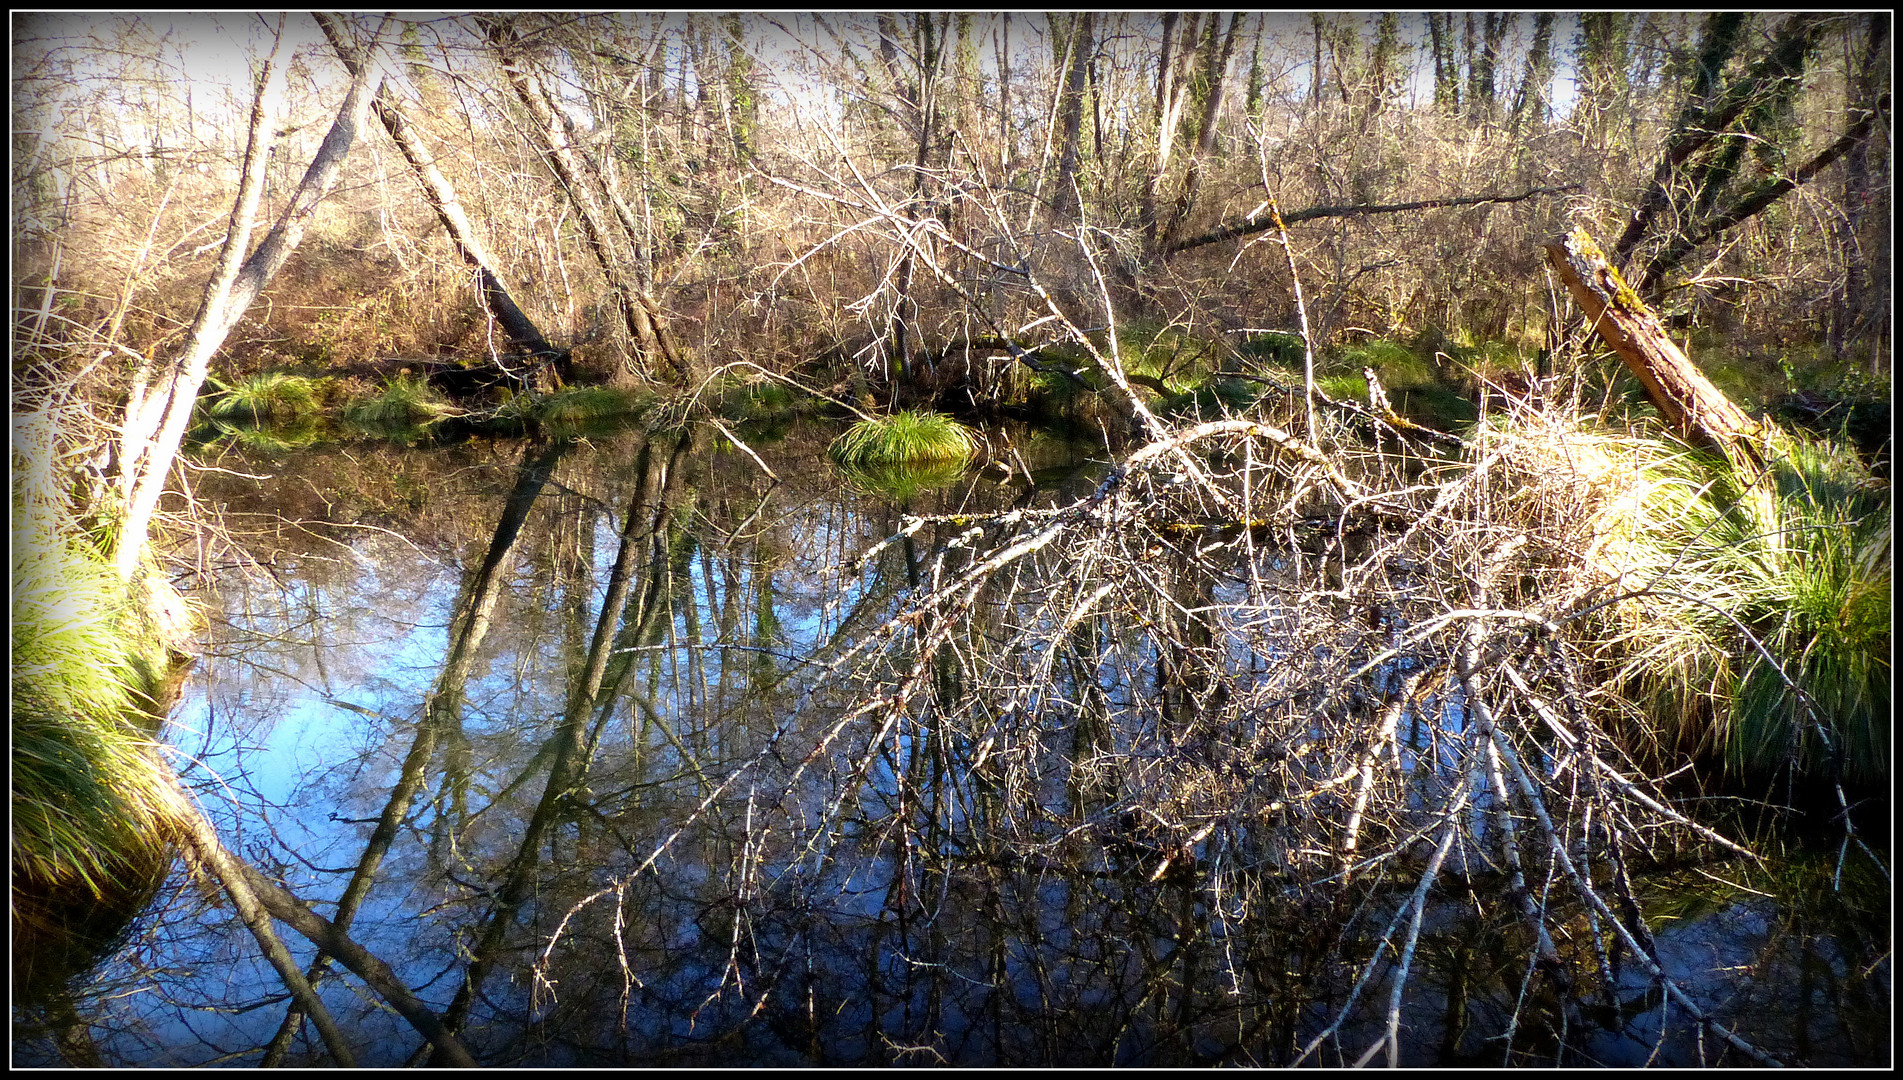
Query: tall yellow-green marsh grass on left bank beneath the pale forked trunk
[{"x": 94, "y": 815}]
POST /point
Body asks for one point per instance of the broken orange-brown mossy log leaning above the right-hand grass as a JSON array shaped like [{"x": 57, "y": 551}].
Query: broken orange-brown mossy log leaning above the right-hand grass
[{"x": 1681, "y": 393}]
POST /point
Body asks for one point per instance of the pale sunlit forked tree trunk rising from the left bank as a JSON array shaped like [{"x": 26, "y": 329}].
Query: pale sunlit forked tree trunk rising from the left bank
[{"x": 157, "y": 421}]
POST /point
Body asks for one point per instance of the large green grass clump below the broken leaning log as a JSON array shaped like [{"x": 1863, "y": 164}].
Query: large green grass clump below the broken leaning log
[{"x": 1797, "y": 562}]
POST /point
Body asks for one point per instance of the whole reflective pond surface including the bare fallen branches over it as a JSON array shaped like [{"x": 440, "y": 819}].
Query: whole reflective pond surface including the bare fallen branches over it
[{"x": 623, "y": 754}]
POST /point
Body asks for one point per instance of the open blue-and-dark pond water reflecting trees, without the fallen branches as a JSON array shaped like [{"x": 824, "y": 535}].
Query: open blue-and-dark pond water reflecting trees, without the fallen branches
[{"x": 595, "y": 879}]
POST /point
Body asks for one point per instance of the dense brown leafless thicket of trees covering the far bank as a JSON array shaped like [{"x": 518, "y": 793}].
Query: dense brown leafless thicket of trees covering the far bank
[{"x": 678, "y": 191}]
